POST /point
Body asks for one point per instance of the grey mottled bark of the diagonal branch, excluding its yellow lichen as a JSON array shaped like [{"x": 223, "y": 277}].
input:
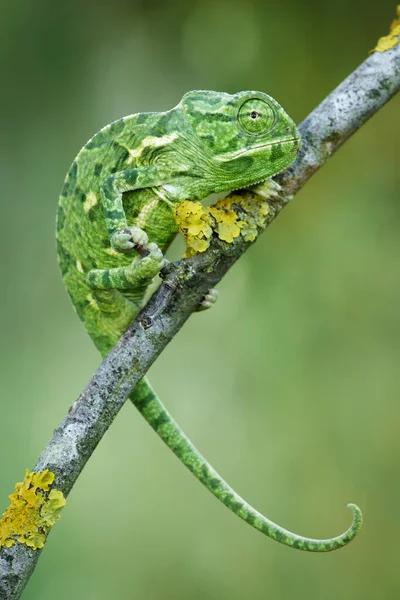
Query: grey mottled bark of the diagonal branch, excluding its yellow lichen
[{"x": 346, "y": 109}]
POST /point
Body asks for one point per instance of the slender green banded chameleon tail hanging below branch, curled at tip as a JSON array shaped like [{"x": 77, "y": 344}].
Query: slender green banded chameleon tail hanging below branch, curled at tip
[{"x": 151, "y": 407}]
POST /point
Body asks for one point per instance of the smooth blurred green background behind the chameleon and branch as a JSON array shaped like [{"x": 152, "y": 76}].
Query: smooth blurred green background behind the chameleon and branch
[{"x": 290, "y": 385}]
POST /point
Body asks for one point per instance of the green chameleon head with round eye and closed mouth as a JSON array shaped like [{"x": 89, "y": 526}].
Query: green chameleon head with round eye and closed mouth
[{"x": 247, "y": 136}]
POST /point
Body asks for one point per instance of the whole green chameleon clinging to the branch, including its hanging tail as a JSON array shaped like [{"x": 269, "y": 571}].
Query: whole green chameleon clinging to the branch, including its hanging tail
[{"x": 116, "y": 220}]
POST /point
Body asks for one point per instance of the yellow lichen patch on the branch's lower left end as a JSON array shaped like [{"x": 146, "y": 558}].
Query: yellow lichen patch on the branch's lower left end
[{"x": 32, "y": 511}]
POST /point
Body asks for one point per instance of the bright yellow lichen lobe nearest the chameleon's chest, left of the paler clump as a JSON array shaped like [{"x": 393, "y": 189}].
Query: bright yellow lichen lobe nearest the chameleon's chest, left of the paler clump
[{"x": 195, "y": 225}]
